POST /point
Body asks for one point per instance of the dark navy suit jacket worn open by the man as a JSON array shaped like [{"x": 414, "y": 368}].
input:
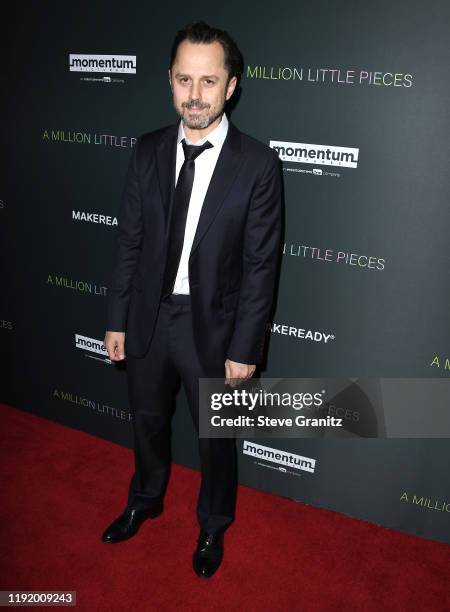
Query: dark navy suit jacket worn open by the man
[{"x": 234, "y": 257}]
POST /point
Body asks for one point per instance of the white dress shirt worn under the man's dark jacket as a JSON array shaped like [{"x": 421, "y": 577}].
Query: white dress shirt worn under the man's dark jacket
[{"x": 204, "y": 167}]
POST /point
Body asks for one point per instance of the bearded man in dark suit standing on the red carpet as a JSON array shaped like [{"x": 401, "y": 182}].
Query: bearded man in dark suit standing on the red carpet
[{"x": 192, "y": 283}]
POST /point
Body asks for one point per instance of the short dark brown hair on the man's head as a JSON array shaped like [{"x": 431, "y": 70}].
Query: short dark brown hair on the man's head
[{"x": 201, "y": 32}]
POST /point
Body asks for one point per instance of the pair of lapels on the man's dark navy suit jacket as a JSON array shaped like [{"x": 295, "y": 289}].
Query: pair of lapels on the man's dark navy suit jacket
[{"x": 223, "y": 176}]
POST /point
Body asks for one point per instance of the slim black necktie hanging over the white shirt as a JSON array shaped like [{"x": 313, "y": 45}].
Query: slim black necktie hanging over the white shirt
[{"x": 180, "y": 209}]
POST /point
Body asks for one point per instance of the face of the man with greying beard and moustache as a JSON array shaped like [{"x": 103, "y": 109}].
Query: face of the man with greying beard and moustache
[{"x": 199, "y": 83}]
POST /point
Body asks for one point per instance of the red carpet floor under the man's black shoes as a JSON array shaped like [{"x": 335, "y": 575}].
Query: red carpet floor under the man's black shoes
[{"x": 61, "y": 488}]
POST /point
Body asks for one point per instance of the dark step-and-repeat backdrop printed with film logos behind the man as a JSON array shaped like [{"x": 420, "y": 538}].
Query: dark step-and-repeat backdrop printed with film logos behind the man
[{"x": 354, "y": 97}]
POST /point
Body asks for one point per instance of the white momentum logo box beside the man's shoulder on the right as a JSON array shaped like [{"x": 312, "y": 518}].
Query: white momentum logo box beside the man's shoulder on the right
[{"x": 325, "y": 155}]
